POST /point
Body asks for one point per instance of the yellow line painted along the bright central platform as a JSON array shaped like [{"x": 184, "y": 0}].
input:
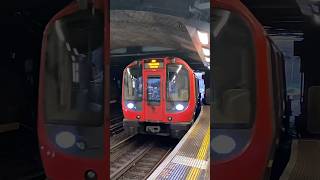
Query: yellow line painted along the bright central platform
[{"x": 194, "y": 172}]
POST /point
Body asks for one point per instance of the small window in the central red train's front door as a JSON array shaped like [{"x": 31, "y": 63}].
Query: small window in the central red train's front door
[{"x": 153, "y": 90}]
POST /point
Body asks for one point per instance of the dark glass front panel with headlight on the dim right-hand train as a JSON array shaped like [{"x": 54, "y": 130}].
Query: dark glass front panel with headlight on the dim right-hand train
[{"x": 233, "y": 92}]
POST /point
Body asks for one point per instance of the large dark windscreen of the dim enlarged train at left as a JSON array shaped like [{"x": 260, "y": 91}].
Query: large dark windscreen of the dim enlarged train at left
[{"x": 74, "y": 70}]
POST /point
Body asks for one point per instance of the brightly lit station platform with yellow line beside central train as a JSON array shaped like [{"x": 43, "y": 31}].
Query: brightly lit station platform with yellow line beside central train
[{"x": 190, "y": 158}]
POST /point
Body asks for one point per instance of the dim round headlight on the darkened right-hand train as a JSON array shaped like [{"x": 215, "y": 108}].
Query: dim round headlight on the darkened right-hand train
[{"x": 223, "y": 144}]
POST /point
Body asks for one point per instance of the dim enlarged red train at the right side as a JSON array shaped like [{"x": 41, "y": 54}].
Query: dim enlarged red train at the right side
[{"x": 249, "y": 95}]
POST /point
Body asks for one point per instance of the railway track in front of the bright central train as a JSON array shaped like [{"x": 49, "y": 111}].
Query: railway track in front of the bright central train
[{"x": 138, "y": 156}]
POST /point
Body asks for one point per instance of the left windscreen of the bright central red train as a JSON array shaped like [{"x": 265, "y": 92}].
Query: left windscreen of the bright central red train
[{"x": 133, "y": 83}]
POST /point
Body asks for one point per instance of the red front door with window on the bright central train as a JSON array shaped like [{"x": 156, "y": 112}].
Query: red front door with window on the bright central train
[{"x": 154, "y": 95}]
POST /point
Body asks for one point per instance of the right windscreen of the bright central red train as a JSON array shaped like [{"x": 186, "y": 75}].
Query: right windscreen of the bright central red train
[{"x": 177, "y": 83}]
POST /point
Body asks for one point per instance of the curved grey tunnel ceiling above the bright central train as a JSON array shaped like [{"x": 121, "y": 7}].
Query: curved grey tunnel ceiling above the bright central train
[{"x": 138, "y": 25}]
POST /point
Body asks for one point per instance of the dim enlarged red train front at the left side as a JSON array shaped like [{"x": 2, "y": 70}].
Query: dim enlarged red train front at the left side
[{"x": 71, "y": 106}]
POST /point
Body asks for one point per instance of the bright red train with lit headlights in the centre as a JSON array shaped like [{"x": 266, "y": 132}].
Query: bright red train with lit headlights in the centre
[{"x": 159, "y": 96}]
